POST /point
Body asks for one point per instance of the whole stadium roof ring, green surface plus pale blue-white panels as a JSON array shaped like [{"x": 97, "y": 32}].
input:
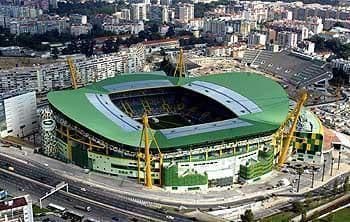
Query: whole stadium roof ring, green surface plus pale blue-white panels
[{"x": 264, "y": 100}]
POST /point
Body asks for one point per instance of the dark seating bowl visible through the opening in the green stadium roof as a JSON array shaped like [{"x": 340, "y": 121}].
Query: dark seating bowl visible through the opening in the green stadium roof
[{"x": 159, "y": 102}]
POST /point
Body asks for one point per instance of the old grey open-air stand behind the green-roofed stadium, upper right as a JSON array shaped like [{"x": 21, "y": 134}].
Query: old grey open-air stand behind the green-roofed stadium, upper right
[{"x": 295, "y": 68}]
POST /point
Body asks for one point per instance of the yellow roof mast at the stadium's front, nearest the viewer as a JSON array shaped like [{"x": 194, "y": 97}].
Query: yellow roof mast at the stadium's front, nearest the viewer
[{"x": 147, "y": 139}]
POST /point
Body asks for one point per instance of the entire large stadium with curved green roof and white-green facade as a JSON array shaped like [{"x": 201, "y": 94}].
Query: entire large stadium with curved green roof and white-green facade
[{"x": 206, "y": 132}]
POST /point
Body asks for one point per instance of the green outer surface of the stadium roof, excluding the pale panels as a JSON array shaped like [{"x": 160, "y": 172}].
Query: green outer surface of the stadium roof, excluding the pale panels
[{"x": 267, "y": 94}]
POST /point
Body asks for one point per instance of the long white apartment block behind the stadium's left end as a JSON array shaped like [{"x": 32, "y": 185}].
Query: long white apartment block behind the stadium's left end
[{"x": 54, "y": 76}]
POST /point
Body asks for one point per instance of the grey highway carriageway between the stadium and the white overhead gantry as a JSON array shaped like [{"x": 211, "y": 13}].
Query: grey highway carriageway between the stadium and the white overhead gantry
[{"x": 44, "y": 175}]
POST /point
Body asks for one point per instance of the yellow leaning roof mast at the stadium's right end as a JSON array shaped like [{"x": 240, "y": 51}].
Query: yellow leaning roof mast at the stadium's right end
[{"x": 293, "y": 116}]
